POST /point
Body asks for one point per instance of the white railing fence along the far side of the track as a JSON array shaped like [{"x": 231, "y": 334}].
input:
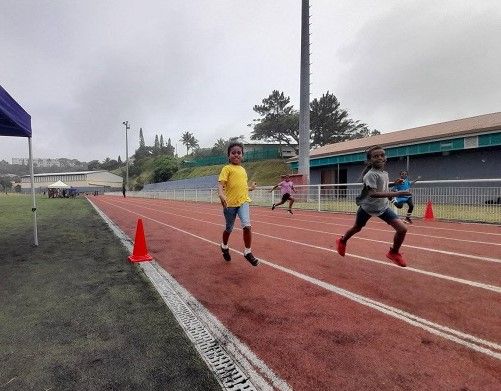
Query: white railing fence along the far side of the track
[{"x": 465, "y": 200}]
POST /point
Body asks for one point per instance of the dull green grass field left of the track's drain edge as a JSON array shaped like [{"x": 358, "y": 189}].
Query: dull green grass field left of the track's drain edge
[{"x": 75, "y": 315}]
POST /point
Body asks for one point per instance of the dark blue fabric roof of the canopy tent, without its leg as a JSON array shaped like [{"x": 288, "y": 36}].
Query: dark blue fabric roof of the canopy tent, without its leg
[{"x": 14, "y": 120}]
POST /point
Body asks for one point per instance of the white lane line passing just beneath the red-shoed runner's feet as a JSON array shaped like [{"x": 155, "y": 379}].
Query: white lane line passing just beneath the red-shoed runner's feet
[{"x": 475, "y": 284}]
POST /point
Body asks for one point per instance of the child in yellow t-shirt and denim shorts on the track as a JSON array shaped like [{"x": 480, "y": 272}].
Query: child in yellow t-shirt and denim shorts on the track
[{"x": 234, "y": 195}]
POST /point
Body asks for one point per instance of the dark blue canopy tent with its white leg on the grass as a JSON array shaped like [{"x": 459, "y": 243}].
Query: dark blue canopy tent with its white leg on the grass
[{"x": 16, "y": 122}]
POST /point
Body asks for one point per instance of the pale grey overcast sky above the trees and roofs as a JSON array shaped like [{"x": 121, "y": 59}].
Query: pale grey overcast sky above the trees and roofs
[{"x": 82, "y": 67}]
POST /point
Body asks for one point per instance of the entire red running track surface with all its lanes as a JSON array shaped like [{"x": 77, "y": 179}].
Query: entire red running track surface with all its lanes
[{"x": 315, "y": 338}]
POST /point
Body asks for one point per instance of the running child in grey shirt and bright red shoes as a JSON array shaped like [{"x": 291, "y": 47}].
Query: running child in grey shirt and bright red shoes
[{"x": 373, "y": 201}]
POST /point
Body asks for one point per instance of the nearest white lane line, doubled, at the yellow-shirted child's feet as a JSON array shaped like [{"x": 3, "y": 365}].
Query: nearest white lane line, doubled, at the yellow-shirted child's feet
[{"x": 489, "y": 348}]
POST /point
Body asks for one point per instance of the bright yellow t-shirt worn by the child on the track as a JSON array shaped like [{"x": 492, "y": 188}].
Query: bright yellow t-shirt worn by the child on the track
[{"x": 236, "y": 188}]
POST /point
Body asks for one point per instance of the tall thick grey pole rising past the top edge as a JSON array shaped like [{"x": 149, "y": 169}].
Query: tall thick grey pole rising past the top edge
[{"x": 304, "y": 91}]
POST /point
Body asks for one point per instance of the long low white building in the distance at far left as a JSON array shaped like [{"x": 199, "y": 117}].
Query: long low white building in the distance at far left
[{"x": 82, "y": 180}]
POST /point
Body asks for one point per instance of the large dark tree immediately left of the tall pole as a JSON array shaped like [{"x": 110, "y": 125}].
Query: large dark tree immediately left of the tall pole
[{"x": 279, "y": 121}]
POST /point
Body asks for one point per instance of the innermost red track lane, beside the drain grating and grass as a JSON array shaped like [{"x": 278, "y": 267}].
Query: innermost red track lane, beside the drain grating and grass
[{"x": 243, "y": 297}]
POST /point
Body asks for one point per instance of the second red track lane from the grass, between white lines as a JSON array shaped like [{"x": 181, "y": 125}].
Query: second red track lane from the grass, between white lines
[{"x": 395, "y": 286}]
